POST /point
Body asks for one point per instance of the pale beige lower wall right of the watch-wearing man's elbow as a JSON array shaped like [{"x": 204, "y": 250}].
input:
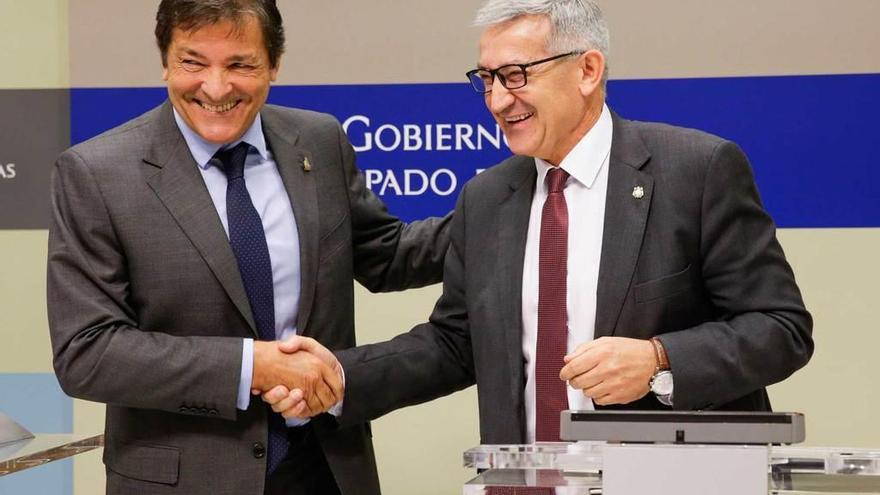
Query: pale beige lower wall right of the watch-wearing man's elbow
[{"x": 837, "y": 271}]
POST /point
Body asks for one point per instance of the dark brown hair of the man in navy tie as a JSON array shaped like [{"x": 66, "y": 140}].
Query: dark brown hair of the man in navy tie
[{"x": 190, "y": 15}]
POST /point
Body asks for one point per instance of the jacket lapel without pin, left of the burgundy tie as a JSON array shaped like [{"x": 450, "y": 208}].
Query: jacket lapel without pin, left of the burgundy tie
[{"x": 513, "y": 226}]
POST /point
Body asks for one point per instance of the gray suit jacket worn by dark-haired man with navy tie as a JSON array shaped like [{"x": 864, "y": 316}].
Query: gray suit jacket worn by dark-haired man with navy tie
[{"x": 147, "y": 309}]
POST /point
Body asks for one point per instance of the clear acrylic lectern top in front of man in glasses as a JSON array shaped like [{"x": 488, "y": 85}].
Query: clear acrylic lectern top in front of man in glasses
[{"x": 579, "y": 468}]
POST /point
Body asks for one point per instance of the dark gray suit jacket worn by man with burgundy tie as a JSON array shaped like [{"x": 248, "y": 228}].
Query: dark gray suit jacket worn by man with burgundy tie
[{"x": 695, "y": 261}]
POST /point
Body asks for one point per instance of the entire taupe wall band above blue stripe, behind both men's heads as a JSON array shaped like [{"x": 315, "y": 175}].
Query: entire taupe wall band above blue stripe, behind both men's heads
[{"x": 387, "y": 41}]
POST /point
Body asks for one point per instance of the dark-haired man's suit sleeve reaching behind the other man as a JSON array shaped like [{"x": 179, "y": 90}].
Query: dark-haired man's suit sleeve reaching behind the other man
[{"x": 389, "y": 254}]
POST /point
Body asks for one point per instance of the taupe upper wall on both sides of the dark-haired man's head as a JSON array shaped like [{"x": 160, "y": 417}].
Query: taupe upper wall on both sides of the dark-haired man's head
[{"x": 336, "y": 42}]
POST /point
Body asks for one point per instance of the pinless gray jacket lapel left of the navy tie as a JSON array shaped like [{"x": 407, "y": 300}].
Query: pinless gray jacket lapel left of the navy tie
[{"x": 180, "y": 187}]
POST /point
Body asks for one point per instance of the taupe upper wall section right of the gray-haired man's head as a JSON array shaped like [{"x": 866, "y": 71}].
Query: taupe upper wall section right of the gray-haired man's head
[{"x": 698, "y": 38}]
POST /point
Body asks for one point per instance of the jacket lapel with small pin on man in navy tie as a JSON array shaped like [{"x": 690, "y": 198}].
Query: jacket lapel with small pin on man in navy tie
[{"x": 302, "y": 191}]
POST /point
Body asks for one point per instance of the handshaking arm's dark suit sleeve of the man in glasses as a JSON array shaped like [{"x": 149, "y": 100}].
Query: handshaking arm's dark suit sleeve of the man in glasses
[{"x": 431, "y": 360}]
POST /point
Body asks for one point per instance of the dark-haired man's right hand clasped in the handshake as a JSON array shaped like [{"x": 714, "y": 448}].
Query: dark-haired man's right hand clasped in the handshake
[{"x": 302, "y": 364}]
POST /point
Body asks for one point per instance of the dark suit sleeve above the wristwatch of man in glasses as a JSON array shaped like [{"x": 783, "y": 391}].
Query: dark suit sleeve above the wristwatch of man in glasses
[{"x": 763, "y": 333}]
